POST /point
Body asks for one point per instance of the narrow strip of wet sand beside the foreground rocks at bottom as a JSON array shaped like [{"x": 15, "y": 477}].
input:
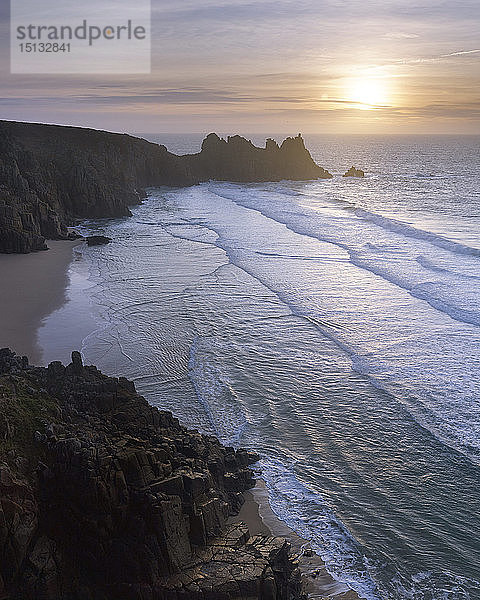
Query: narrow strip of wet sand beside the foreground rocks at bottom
[{"x": 258, "y": 515}]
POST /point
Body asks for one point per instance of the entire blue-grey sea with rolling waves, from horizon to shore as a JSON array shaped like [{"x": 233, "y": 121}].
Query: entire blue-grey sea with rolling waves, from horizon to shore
[{"x": 333, "y": 326}]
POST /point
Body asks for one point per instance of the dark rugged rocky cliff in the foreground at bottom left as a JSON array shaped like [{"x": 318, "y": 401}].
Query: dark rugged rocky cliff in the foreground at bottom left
[{"x": 104, "y": 497}]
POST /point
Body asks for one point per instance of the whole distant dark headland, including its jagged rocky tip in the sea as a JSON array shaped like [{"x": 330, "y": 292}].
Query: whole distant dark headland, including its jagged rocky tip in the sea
[{"x": 51, "y": 175}]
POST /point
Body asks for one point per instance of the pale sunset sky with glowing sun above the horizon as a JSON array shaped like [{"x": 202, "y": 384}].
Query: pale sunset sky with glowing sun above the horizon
[{"x": 363, "y": 67}]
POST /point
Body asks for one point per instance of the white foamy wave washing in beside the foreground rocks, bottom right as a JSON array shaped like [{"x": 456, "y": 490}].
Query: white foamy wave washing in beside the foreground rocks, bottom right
[{"x": 307, "y": 513}]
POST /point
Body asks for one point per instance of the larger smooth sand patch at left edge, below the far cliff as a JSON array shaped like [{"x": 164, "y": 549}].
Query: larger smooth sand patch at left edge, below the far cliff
[{"x": 32, "y": 286}]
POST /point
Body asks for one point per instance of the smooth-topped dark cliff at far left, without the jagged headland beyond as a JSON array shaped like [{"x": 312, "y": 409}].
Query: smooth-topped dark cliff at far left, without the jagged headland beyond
[{"x": 50, "y": 175}]
